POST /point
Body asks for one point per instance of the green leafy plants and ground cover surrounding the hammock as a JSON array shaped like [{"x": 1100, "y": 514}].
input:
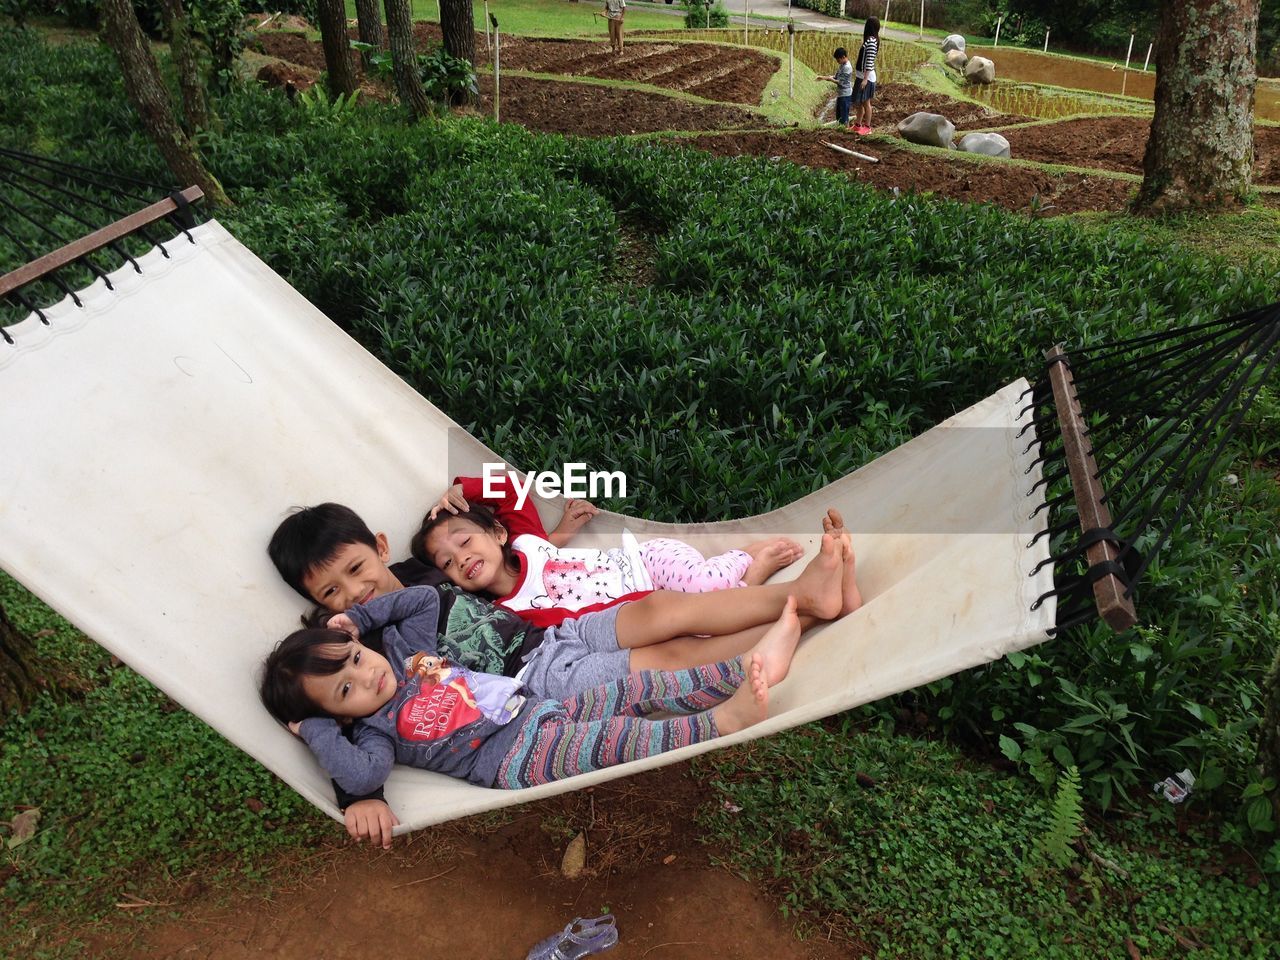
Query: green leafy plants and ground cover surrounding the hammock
[{"x": 770, "y": 350}]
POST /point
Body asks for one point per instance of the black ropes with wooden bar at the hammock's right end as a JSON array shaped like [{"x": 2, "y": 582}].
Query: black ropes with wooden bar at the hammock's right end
[{"x": 1131, "y": 433}]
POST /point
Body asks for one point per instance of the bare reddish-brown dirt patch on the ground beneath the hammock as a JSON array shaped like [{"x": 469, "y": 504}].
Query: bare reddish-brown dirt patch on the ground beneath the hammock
[{"x": 463, "y": 890}]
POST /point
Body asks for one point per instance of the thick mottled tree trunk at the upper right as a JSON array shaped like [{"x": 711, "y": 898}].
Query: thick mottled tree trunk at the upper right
[{"x": 1201, "y": 148}]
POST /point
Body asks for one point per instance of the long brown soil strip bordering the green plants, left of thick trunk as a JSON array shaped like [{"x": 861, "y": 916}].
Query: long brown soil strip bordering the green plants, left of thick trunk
[{"x": 1008, "y": 186}]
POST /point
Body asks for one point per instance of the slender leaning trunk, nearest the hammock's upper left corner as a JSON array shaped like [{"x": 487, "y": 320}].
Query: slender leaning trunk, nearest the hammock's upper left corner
[{"x": 148, "y": 94}]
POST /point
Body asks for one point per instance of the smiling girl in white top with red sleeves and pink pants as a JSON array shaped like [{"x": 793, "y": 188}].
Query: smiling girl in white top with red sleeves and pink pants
[{"x": 496, "y": 548}]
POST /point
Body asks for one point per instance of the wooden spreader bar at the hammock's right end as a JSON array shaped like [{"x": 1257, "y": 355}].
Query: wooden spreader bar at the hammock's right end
[{"x": 1109, "y": 591}]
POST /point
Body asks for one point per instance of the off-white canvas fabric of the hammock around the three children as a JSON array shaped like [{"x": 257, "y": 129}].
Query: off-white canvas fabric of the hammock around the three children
[{"x": 156, "y": 437}]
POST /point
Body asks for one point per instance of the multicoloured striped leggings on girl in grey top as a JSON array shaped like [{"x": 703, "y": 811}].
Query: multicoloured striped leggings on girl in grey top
[{"x": 607, "y": 725}]
